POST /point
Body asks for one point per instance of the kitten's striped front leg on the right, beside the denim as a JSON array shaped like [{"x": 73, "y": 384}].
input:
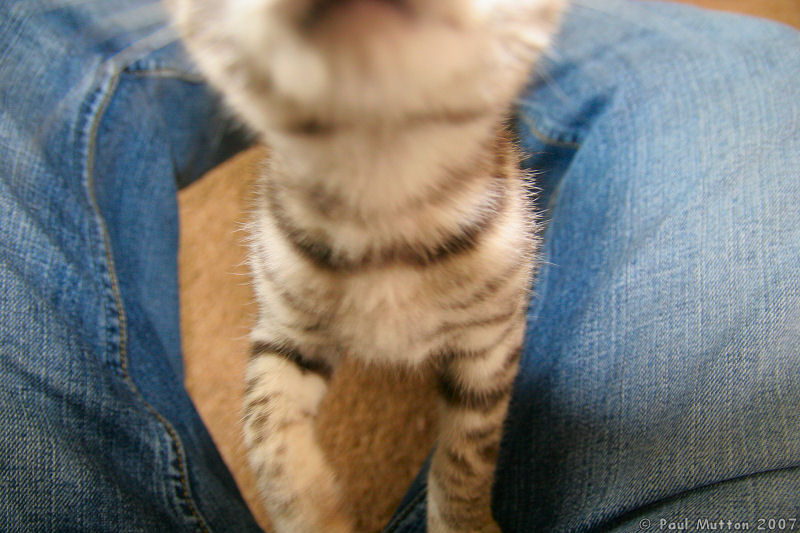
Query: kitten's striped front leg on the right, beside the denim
[{"x": 474, "y": 390}]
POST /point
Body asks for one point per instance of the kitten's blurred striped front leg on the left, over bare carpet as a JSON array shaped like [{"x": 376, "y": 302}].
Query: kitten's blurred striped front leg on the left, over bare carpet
[{"x": 281, "y": 401}]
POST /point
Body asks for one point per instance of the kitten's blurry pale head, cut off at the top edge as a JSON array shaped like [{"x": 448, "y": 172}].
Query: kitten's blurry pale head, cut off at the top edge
[{"x": 281, "y": 63}]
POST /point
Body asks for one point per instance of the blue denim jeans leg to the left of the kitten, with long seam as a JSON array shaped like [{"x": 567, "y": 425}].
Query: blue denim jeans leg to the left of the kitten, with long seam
[{"x": 100, "y": 115}]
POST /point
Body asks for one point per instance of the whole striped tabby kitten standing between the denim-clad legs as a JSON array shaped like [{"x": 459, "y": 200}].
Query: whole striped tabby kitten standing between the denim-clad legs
[{"x": 393, "y": 223}]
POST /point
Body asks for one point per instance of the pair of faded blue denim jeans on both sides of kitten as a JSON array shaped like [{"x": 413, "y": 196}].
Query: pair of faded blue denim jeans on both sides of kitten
[{"x": 660, "y": 381}]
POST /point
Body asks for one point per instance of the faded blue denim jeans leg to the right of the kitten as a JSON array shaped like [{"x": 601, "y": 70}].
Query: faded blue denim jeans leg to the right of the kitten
[{"x": 660, "y": 381}]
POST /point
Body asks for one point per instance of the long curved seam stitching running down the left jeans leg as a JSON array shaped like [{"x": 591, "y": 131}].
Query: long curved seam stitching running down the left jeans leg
[{"x": 110, "y": 89}]
